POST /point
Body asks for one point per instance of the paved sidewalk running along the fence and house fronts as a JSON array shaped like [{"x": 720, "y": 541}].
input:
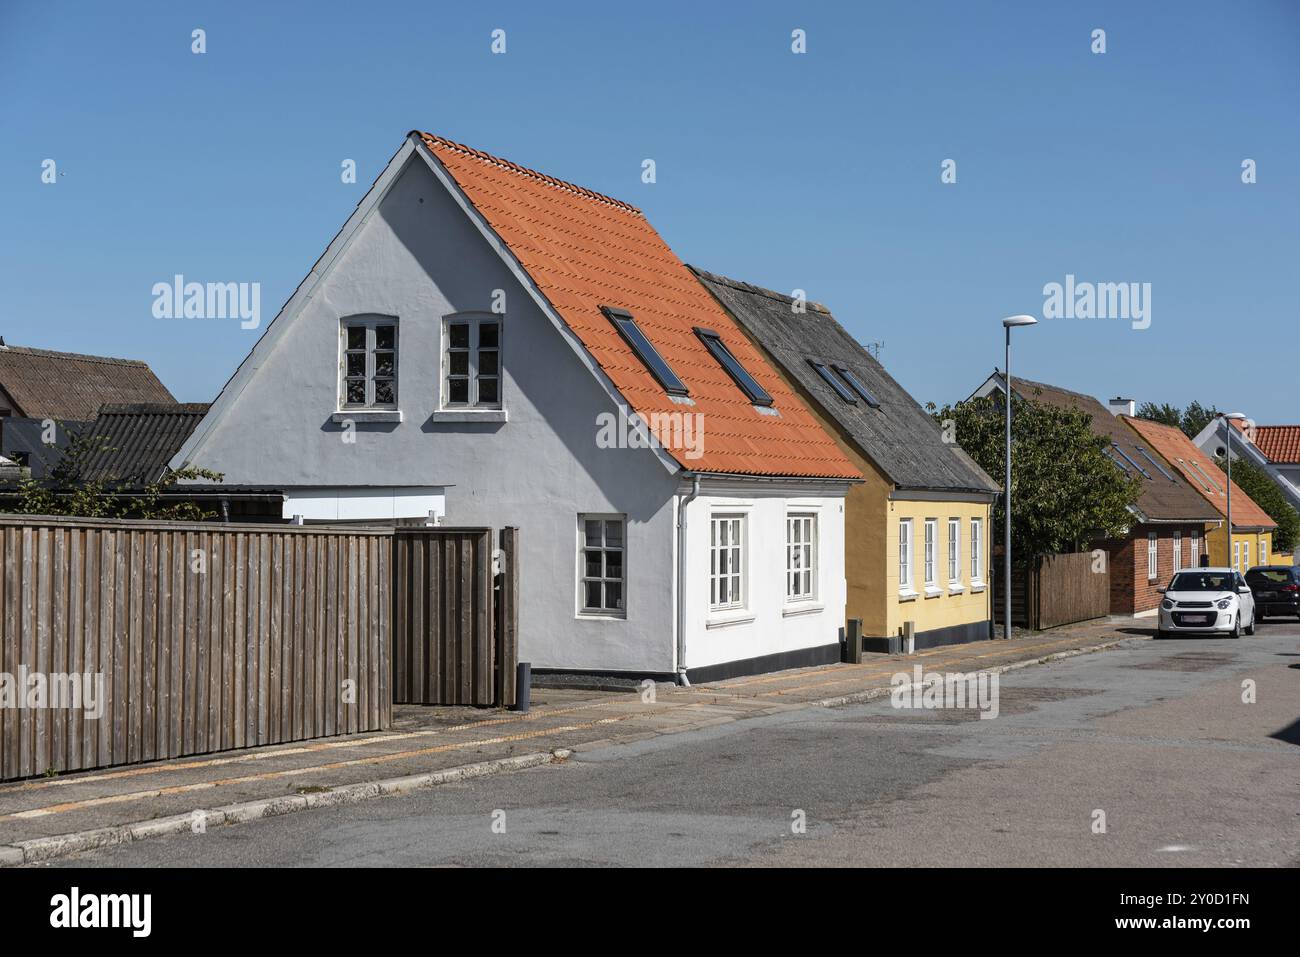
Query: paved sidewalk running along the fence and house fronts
[{"x": 53, "y": 817}]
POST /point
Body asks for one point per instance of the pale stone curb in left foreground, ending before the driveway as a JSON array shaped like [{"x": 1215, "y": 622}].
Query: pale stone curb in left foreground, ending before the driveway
[{"x": 40, "y": 850}]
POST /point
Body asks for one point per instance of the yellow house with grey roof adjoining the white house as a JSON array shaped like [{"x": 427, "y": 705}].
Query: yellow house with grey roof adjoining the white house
[{"x": 917, "y": 532}]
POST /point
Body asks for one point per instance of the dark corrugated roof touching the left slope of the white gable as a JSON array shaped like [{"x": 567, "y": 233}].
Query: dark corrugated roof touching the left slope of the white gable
[{"x": 133, "y": 443}]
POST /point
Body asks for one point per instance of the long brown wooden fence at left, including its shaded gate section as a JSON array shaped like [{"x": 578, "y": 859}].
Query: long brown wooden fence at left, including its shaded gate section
[{"x": 203, "y": 638}]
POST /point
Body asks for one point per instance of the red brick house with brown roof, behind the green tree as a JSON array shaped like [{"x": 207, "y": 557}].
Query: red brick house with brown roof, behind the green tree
[{"x": 1172, "y": 521}]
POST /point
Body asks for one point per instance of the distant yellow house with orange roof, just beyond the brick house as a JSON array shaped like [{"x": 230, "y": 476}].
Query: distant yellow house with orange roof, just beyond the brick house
[{"x": 1253, "y": 529}]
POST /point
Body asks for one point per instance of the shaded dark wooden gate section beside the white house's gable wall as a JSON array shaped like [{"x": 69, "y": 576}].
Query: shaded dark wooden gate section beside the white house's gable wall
[{"x": 456, "y": 603}]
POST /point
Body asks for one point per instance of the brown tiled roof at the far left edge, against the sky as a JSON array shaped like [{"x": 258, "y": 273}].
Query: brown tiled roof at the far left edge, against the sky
[{"x": 72, "y": 387}]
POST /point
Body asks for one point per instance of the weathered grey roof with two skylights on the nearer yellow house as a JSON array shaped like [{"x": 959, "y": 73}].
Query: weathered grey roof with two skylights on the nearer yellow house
[{"x": 900, "y": 438}]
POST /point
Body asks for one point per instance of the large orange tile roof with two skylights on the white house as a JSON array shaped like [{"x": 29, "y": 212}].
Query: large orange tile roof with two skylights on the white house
[{"x": 586, "y": 250}]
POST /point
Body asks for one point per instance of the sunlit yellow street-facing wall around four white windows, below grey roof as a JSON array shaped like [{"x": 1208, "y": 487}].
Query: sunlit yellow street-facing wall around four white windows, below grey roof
[{"x": 952, "y": 605}]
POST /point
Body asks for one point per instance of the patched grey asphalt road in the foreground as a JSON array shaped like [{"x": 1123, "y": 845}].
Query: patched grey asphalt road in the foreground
[{"x": 1155, "y": 735}]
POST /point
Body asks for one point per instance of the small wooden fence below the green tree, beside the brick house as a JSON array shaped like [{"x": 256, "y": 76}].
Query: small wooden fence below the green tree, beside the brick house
[{"x": 1059, "y": 590}]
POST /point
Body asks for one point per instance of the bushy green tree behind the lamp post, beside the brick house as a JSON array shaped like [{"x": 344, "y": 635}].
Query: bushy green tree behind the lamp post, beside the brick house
[{"x": 1065, "y": 490}]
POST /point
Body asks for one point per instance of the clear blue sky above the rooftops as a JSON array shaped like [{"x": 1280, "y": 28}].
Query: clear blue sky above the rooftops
[{"x": 820, "y": 172}]
